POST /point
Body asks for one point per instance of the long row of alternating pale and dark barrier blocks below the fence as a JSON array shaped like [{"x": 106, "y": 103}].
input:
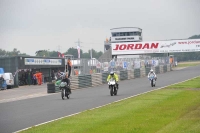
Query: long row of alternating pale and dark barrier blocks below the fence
[{"x": 84, "y": 81}]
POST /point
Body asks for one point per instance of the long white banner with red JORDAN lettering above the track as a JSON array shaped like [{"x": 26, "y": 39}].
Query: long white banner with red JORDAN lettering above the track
[{"x": 127, "y": 48}]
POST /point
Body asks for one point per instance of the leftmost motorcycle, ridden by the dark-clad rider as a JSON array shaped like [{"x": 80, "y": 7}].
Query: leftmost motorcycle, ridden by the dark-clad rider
[{"x": 65, "y": 90}]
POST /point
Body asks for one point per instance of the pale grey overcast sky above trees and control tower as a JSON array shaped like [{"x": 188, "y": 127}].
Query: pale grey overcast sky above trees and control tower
[{"x": 31, "y": 25}]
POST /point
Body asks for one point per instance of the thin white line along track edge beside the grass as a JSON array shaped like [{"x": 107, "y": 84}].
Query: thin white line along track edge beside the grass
[{"x": 103, "y": 105}]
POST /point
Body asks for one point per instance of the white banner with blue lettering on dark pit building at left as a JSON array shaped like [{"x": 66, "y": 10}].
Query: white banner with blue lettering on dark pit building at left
[{"x": 38, "y": 61}]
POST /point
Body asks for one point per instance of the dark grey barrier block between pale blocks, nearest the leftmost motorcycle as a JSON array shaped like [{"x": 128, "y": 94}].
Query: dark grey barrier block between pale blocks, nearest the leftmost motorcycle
[{"x": 84, "y": 81}]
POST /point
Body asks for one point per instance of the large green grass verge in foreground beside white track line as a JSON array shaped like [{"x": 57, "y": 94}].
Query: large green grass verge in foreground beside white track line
[{"x": 173, "y": 109}]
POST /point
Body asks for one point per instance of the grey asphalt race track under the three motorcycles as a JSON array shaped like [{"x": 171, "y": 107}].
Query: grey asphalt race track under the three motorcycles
[{"x": 20, "y": 114}]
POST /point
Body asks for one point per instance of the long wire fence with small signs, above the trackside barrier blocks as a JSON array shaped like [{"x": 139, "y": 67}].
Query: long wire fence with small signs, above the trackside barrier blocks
[{"x": 91, "y": 66}]
